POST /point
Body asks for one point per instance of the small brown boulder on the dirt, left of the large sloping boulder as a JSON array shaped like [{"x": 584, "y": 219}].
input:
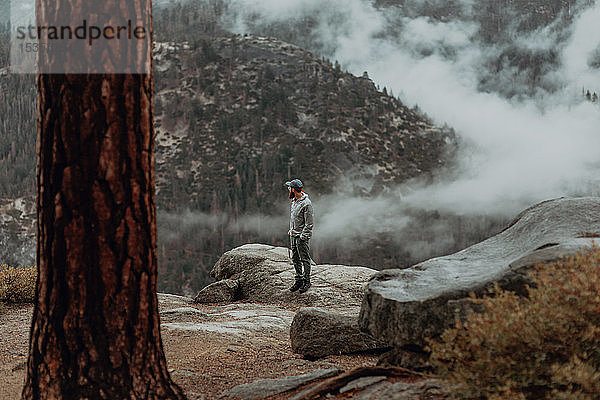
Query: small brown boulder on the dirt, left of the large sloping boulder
[{"x": 318, "y": 332}]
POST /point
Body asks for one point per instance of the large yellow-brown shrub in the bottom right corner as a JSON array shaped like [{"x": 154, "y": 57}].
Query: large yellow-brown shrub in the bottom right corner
[{"x": 543, "y": 346}]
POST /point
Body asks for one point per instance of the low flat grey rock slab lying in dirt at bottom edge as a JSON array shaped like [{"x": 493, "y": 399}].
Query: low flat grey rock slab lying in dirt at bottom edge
[{"x": 268, "y": 387}]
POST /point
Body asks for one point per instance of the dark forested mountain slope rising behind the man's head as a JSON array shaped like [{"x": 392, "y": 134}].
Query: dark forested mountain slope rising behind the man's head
[{"x": 237, "y": 116}]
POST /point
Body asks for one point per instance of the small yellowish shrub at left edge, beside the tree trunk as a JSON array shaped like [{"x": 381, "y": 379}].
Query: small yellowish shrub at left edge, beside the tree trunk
[{"x": 17, "y": 284}]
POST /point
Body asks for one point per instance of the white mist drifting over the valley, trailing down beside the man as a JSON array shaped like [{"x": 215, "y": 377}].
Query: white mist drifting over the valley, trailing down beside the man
[{"x": 526, "y": 132}]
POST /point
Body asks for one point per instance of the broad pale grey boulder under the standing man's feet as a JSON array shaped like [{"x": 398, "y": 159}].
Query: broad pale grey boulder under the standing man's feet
[{"x": 263, "y": 273}]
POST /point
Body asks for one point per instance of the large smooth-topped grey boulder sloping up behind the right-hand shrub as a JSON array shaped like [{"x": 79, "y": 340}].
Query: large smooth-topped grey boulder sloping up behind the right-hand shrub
[{"x": 404, "y": 307}]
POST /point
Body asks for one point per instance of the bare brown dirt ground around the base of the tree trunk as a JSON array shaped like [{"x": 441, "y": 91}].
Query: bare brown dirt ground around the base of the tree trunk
[{"x": 203, "y": 363}]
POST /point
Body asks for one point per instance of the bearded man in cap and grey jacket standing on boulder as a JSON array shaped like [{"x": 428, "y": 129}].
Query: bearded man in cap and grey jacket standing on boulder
[{"x": 301, "y": 224}]
